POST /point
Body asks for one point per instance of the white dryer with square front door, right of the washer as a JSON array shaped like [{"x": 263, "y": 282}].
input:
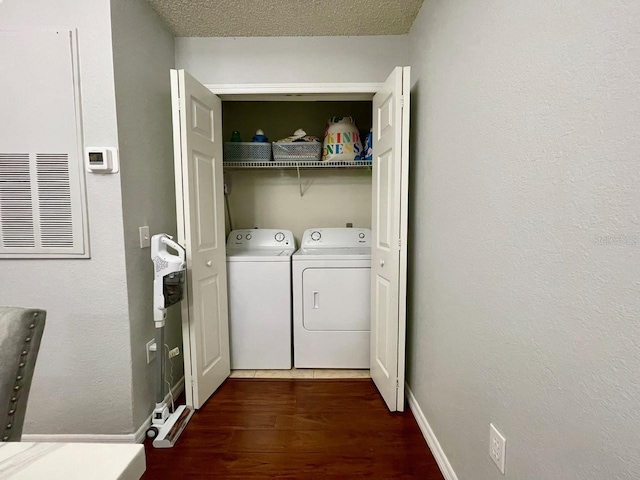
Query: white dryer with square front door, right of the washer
[{"x": 331, "y": 298}]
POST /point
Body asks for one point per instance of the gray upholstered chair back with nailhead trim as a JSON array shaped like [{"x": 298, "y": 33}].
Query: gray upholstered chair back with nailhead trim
[{"x": 20, "y": 334}]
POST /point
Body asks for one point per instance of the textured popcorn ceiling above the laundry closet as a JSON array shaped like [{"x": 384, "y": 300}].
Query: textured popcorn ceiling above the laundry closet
[{"x": 274, "y": 18}]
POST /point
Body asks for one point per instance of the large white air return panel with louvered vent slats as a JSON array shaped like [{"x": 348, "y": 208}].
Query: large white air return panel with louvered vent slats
[{"x": 43, "y": 210}]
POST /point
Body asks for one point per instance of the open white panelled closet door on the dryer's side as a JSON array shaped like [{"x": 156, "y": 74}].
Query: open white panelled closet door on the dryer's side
[{"x": 389, "y": 235}]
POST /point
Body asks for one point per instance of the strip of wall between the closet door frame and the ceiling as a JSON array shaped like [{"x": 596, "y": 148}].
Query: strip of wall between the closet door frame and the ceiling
[{"x": 291, "y": 59}]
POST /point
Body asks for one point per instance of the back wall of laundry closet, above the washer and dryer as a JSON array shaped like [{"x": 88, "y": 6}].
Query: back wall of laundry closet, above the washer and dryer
[{"x": 272, "y": 196}]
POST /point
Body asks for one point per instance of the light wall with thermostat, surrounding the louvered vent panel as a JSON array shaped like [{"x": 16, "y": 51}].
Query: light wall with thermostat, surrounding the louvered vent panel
[{"x": 82, "y": 382}]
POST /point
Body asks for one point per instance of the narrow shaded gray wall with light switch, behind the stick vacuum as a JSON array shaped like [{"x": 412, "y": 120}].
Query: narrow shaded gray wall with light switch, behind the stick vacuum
[{"x": 143, "y": 54}]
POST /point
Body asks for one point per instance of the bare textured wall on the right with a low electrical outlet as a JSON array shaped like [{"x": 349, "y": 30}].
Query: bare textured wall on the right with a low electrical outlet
[{"x": 524, "y": 300}]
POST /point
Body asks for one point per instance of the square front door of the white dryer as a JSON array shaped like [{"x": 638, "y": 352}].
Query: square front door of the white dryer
[{"x": 336, "y": 299}]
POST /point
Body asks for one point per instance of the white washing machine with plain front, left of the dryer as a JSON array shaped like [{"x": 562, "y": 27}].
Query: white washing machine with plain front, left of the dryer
[{"x": 259, "y": 285}]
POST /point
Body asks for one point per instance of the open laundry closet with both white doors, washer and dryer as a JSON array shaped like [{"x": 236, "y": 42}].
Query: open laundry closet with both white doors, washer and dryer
[{"x": 243, "y": 224}]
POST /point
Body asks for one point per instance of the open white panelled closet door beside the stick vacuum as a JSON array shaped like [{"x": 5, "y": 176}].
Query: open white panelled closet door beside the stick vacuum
[{"x": 197, "y": 130}]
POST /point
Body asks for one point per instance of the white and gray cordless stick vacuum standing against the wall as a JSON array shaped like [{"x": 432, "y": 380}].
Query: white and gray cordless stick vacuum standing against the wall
[{"x": 168, "y": 289}]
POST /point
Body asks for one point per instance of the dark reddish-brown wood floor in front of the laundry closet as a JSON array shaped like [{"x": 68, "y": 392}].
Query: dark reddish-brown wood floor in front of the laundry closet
[{"x": 295, "y": 429}]
